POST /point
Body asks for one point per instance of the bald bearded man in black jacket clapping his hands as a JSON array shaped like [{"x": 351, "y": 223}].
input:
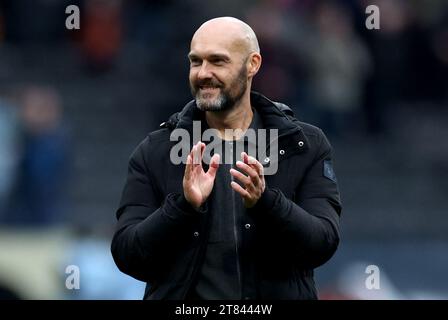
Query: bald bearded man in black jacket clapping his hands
[{"x": 228, "y": 231}]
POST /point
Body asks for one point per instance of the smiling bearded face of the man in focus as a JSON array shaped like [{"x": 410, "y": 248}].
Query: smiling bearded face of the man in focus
[{"x": 218, "y": 74}]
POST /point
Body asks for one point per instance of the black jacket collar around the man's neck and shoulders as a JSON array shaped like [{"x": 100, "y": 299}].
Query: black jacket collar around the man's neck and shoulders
[{"x": 274, "y": 115}]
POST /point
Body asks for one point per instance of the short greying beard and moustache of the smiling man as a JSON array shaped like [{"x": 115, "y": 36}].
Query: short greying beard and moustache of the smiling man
[{"x": 226, "y": 98}]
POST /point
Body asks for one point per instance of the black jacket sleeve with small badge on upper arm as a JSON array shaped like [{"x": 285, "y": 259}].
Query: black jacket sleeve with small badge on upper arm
[{"x": 309, "y": 226}]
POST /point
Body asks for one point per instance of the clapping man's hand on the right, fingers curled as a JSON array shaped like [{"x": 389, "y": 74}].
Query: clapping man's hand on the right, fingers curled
[{"x": 253, "y": 179}]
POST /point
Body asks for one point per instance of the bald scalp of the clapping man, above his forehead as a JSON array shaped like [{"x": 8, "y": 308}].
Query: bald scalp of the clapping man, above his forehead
[{"x": 230, "y": 31}]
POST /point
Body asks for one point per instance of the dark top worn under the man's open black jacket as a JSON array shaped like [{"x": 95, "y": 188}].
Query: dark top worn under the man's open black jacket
[{"x": 220, "y": 275}]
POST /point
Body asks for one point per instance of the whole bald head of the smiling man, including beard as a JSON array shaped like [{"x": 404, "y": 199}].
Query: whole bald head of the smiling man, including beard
[{"x": 224, "y": 57}]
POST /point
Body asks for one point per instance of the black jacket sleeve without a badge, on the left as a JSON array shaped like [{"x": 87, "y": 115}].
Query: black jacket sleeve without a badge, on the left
[{"x": 149, "y": 227}]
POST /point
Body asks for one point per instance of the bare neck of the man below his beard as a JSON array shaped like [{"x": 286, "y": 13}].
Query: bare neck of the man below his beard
[{"x": 239, "y": 117}]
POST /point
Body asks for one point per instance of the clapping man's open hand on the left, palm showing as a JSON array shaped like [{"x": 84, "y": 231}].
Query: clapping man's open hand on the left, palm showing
[{"x": 198, "y": 184}]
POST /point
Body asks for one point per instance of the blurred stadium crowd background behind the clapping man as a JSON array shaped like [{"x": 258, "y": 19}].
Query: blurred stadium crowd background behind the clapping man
[{"x": 75, "y": 103}]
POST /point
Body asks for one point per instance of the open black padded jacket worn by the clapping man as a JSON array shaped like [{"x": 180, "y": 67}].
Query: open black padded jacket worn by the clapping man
[{"x": 160, "y": 238}]
